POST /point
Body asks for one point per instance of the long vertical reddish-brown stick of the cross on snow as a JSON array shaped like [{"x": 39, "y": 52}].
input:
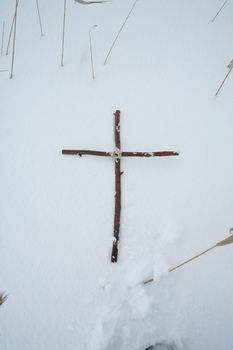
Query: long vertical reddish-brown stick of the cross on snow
[{"x": 117, "y": 188}]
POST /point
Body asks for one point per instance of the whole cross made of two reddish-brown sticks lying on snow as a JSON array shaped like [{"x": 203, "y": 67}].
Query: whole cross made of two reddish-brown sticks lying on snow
[{"x": 116, "y": 155}]
